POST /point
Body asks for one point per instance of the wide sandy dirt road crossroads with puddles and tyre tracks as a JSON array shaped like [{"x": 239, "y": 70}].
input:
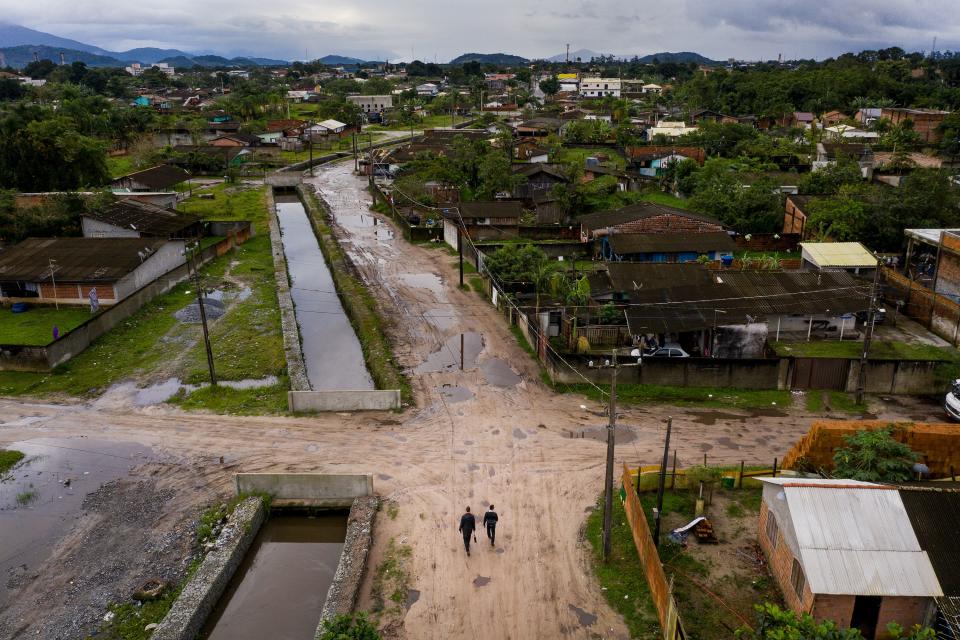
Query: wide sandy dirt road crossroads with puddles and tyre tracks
[{"x": 494, "y": 433}]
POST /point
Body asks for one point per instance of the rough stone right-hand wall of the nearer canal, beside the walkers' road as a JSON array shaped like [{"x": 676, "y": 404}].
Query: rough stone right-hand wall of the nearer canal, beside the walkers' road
[{"x": 345, "y": 588}]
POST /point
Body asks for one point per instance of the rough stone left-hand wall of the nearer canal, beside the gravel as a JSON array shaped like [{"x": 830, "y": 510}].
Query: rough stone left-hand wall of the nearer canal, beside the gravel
[{"x": 201, "y": 593}]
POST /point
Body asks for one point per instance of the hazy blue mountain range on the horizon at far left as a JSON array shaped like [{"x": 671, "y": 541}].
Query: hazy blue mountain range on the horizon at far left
[{"x": 18, "y": 45}]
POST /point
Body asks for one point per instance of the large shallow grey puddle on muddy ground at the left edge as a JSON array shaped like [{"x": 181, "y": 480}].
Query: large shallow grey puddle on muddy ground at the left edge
[{"x": 42, "y": 498}]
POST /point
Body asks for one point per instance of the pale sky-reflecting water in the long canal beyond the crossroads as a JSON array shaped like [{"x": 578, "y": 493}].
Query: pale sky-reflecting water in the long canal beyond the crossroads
[{"x": 331, "y": 350}]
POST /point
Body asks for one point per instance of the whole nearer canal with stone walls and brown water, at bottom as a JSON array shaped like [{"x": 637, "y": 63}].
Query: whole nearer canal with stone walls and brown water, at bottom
[{"x": 280, "y": 574}]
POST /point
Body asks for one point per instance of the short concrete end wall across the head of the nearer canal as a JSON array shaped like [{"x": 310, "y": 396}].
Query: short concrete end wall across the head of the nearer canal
[{"x": 316, "y": 489}]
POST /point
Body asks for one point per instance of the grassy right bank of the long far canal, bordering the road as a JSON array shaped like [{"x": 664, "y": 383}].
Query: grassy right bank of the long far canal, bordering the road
[{"x": 357, "y": 302}]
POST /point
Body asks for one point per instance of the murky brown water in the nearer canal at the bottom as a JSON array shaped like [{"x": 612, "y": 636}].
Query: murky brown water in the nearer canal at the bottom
[{"x": 279, "y": 590}]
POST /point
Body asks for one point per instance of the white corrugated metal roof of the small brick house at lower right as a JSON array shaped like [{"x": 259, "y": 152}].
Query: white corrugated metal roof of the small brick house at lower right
[{"x": 856, "y": 538}]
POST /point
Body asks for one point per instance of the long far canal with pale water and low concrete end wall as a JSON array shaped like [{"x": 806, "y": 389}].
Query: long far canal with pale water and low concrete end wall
[{"x": 332, "y": 355}]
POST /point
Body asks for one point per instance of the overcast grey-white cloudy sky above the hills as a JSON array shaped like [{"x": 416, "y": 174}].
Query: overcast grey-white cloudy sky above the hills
[{"x": 442, "y": 29}]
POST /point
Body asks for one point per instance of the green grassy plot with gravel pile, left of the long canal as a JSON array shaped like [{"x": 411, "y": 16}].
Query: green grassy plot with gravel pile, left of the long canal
[{"x": 247, "y": 341}]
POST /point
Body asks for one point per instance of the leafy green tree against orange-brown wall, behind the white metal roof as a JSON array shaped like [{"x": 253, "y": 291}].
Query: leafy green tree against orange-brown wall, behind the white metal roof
[{"x": 874, "y": 456}]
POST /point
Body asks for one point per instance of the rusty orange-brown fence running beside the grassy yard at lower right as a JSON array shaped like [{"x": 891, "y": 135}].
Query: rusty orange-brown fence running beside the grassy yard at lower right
[{"x": 660, "y": 589}]
